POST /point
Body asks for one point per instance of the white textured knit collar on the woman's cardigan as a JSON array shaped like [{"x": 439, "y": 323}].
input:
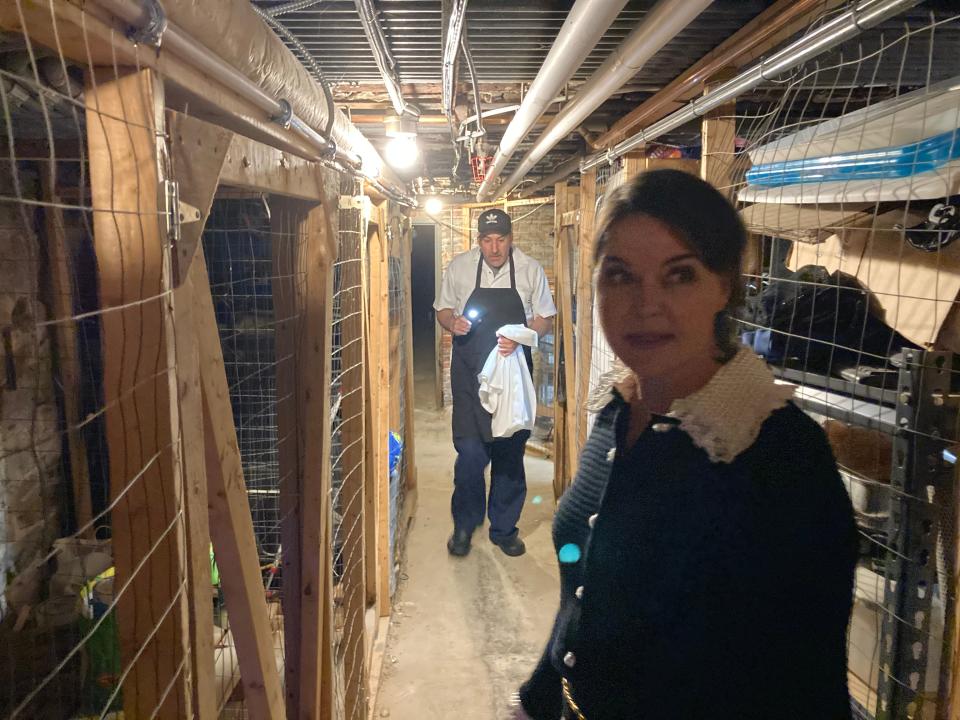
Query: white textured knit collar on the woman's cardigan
[{"x": 725, "y": 415}]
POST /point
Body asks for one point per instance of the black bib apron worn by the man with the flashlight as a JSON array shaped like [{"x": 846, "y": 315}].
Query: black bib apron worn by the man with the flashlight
[{"x": 496, "y": 307}]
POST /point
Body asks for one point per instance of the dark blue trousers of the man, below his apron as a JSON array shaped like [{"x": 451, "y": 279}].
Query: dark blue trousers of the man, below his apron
[{"x": 508, "y": 484}]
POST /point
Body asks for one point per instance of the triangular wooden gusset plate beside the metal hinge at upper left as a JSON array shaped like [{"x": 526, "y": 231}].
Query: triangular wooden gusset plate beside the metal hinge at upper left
[{"x": 197, "y": 151}]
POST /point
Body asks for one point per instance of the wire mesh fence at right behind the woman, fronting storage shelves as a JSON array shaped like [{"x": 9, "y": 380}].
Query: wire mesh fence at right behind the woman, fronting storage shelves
[{"x": 852, "y": 280}]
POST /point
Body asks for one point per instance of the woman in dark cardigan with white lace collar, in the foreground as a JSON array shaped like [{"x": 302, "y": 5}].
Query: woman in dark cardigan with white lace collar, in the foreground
[{"x": 707, "y": 544}]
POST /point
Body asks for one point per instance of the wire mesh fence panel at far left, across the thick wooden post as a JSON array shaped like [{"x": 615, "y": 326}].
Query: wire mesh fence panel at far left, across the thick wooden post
[{"x": 92, "y": 610}]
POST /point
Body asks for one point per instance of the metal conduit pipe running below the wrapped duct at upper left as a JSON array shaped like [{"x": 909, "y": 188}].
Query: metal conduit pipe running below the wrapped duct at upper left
[{"x": 180, "y": 43}]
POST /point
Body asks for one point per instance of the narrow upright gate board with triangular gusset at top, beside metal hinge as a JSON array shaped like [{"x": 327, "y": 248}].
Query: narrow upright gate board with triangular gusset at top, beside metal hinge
[{"x": 197, "y": 154}]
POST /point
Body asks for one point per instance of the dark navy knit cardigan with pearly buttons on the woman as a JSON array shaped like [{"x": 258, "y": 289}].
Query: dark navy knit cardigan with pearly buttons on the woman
[{"x": 706, "y": 590}]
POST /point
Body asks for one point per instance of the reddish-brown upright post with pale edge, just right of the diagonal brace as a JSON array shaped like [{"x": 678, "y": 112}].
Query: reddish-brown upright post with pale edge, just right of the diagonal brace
[{"x": 317, "y": 256}]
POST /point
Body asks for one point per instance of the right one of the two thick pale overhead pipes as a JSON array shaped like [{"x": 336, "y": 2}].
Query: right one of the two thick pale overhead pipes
[{"x": 664, "y": 21}]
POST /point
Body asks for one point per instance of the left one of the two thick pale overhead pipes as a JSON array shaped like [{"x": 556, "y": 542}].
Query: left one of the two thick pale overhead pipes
[{"x": 586, "y": 23}]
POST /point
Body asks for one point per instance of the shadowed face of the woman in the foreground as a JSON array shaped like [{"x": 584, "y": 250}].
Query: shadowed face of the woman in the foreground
[{"x": 657, "y": 300}]
